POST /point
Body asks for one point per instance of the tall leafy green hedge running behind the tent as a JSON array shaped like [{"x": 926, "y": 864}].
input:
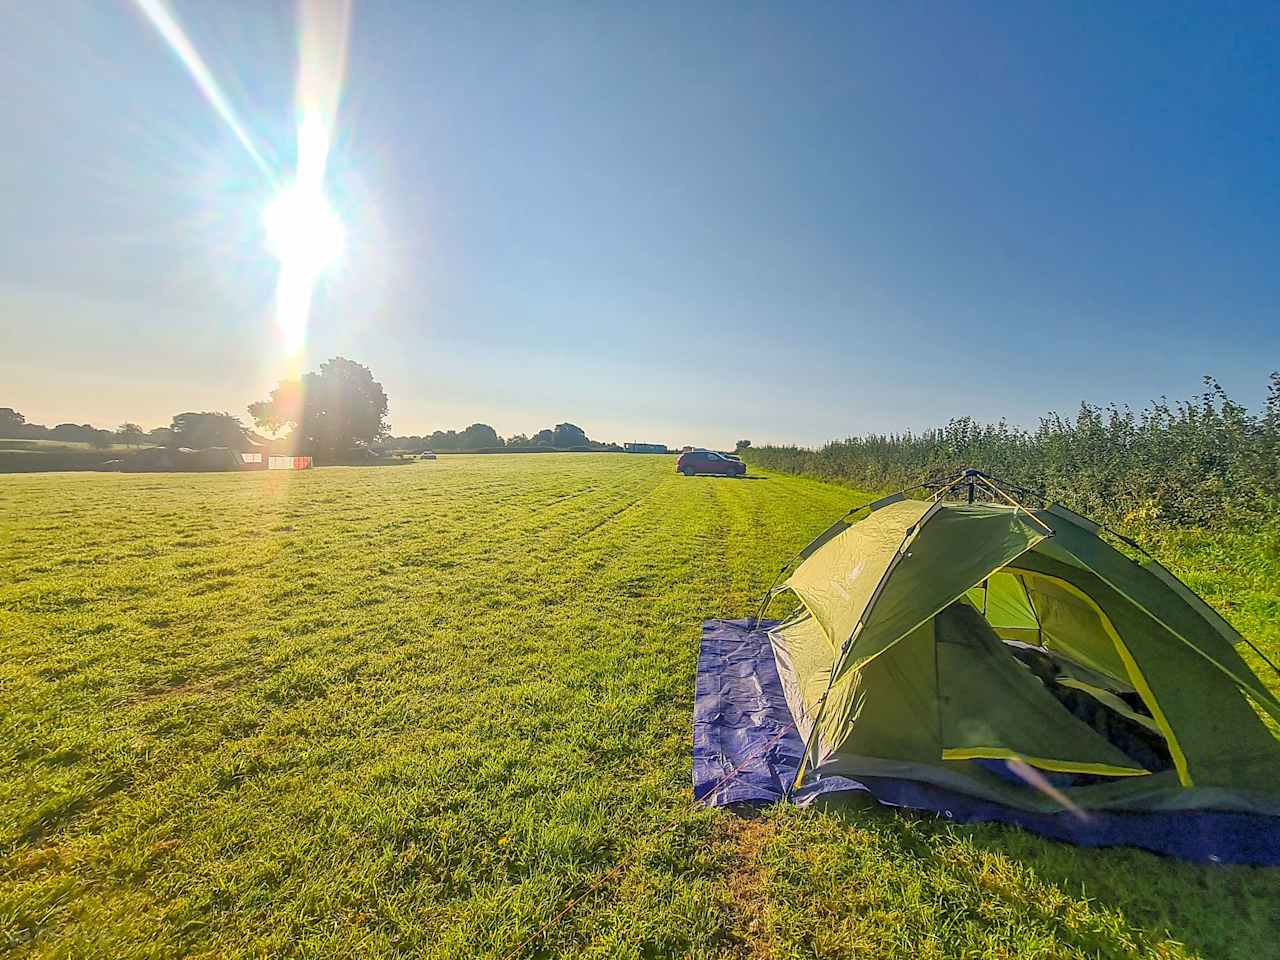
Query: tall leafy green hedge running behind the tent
[{"x": 1204, "y": 463}]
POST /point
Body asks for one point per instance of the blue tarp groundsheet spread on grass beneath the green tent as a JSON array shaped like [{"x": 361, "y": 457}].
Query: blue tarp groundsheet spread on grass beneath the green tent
[{"x": 747, "y": 751}]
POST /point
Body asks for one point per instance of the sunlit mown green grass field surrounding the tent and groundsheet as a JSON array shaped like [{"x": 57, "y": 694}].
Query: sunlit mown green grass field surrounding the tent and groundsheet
[{"x": 417, "y": 711}]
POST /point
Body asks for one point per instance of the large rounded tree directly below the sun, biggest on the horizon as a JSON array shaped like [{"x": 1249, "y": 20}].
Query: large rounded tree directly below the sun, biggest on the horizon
[{"x": 331, "y": 412}]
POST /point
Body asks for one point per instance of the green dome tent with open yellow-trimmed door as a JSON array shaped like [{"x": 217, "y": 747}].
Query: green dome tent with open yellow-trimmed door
[{"x": 947, "y": 643}]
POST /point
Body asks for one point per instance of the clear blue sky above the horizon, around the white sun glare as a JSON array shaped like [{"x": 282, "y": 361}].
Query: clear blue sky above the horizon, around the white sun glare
[{"x": 682, "y": 223}]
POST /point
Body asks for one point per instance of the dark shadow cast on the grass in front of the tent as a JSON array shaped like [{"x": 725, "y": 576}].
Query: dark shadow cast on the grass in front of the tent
[{"x": 1133, "y": 895}]
